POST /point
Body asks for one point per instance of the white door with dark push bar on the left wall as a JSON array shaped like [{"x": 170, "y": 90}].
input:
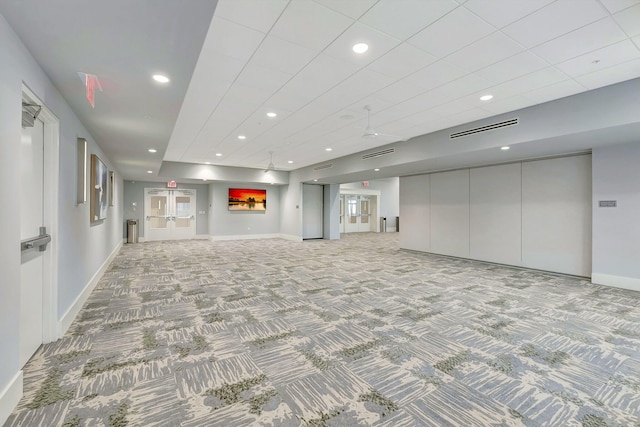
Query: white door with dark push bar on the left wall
[{"x": 31, "y": 219}]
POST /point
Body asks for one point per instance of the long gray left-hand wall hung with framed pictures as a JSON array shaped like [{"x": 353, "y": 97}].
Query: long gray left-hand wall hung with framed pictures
[{"x": 82, "y": 248}]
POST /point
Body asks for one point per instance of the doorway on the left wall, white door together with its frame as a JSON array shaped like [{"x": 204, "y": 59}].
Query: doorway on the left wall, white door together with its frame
[{"x": 38, "y": 156}]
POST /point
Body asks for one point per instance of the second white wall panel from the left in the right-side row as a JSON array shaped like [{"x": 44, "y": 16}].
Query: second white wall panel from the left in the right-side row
[{"x": 450, "y": 213}]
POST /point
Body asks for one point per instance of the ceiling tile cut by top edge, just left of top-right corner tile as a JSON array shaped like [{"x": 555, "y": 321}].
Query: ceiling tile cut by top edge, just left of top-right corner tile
[{"x": 554, "y": 20}]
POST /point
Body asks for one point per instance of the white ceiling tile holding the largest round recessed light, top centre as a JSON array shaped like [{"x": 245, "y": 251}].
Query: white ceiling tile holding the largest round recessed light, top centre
[{"x": 379, "y": 44}]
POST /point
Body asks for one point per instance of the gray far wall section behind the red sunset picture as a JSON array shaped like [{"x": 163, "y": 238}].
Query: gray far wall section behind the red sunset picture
[{"x": 223, "y": 222}]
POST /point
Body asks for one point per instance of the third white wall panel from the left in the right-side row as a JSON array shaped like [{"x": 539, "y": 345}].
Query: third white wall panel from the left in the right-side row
[{"x": 496, "y": 214}]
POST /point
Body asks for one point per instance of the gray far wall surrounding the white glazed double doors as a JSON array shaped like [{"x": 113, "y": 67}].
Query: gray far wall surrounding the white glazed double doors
[{"x": 134, "y": 193}]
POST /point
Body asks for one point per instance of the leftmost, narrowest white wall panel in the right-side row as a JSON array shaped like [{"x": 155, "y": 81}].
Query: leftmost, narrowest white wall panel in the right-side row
[{"x": 415, "y": 212}]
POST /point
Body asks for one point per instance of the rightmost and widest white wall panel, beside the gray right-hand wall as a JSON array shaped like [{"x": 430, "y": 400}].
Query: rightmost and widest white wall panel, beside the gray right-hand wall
[{"x": 556, "y": 215}]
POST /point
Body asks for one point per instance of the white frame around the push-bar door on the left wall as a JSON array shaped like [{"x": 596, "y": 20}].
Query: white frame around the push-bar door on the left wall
[{"x": 50, "y": 323}]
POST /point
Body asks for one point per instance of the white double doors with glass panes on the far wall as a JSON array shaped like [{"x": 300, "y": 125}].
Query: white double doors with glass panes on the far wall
[{"x": 169, "y": 214}]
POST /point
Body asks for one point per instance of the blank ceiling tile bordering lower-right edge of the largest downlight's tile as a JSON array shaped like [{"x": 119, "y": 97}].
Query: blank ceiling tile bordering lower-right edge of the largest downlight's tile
[{"x": 402, "y": 61}]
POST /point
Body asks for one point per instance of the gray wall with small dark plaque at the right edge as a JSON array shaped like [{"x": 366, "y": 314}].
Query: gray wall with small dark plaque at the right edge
[{"x": 616, "y": 231}]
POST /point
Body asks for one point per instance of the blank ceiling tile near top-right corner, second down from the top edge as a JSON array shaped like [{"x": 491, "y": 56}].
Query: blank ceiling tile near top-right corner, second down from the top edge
[{"x": 586, "y": 39}]
